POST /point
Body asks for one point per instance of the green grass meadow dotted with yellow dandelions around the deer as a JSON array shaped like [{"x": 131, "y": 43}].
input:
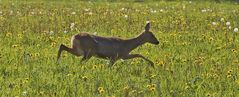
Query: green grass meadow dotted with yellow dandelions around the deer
[{"x": 197, "y": 55}]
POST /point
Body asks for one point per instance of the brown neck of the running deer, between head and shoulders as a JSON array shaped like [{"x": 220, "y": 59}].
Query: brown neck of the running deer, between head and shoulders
[{"x": 135, "y": 42}]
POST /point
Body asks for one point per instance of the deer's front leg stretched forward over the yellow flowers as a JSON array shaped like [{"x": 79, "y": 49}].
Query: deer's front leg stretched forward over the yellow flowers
[{"x": 131, "y": 56}]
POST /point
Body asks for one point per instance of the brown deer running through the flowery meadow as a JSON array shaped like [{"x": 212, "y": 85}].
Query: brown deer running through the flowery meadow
[{"x": 86, "y": 45}]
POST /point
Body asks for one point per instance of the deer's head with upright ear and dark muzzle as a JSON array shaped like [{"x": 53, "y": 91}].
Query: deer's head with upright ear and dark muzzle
[{"x": 149, "y": 36}]
